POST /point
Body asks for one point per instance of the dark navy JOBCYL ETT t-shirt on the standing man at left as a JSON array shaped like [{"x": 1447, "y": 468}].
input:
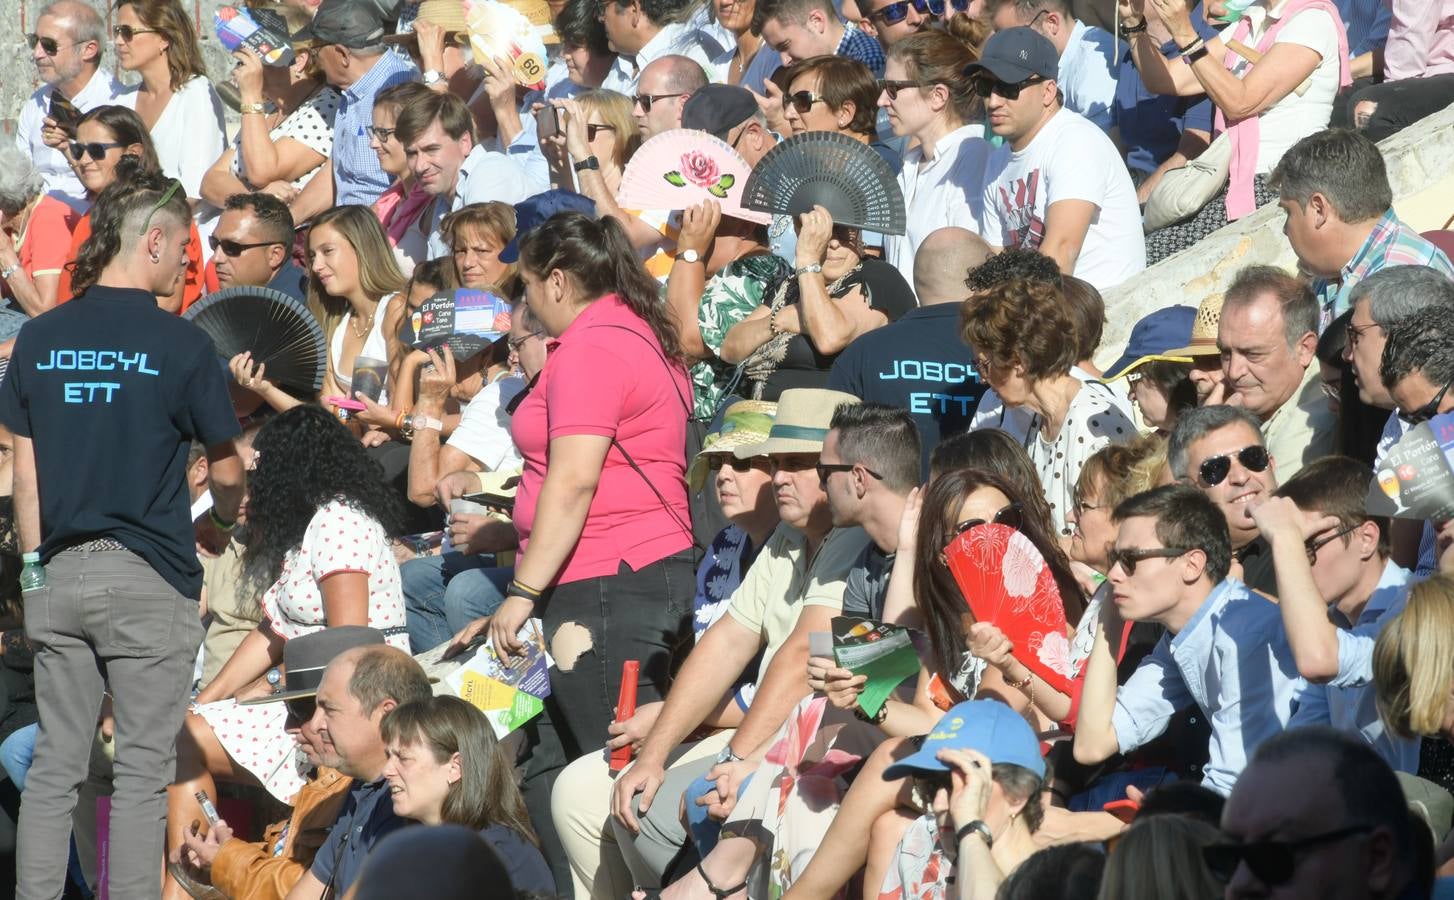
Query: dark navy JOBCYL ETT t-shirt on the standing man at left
[{"x": 113, "y": 392}]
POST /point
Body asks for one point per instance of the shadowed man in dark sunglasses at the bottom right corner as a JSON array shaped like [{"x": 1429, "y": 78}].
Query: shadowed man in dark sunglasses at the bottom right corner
[{"x": 1318, "y": 815}]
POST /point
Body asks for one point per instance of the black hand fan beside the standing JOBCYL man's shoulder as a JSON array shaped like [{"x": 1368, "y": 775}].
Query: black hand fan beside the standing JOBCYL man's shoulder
[{"x": 277, "y": 329}]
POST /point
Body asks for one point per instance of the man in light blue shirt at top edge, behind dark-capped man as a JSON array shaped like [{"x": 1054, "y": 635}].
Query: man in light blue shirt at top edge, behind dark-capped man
[{"x": 1088, "y": 68}]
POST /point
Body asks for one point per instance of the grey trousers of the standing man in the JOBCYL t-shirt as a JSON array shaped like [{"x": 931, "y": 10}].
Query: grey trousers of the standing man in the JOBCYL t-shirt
[{"x": 105, "y": 617}]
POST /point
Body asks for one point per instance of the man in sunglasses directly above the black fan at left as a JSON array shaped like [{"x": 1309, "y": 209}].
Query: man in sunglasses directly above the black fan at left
[{"x": 252, "y": 246}]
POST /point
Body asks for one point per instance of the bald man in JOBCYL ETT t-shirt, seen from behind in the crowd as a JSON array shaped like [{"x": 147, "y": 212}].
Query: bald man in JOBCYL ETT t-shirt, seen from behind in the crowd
[{"x": 920, "y": 363}]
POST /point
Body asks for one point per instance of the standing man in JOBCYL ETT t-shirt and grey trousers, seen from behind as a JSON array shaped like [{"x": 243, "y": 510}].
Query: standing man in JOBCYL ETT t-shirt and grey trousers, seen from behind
[{"x": 105, "y": 396}]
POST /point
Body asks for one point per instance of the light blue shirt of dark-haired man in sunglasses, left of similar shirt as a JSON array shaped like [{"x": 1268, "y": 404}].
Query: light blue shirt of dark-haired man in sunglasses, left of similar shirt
[{"x": 1234, "y": 662}]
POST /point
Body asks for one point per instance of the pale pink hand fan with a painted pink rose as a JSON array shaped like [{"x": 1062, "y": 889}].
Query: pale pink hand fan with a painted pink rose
[{"x": 681, "y": 168}]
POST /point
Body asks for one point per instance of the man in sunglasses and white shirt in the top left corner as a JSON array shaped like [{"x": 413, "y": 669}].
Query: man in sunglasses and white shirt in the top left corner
[{"x": 66, "y": 49}]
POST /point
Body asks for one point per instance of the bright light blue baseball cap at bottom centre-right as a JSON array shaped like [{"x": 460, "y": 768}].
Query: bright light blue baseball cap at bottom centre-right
[{"x": 979, "y": 725}]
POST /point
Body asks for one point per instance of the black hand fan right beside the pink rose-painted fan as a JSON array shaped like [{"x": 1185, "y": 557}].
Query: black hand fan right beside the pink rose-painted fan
[{"x": 832, "y": 171}]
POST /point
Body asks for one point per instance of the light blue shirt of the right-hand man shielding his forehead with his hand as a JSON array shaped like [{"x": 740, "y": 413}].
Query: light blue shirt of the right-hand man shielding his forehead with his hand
[{"x": 1347, "y": 703}]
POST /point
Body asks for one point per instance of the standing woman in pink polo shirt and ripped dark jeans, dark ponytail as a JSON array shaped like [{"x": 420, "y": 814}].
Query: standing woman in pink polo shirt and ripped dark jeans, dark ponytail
[{"x": 601, "y": 510}]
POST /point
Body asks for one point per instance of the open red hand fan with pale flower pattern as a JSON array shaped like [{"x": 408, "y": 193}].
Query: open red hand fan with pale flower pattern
[{"x": 1007, "y": 584}]
